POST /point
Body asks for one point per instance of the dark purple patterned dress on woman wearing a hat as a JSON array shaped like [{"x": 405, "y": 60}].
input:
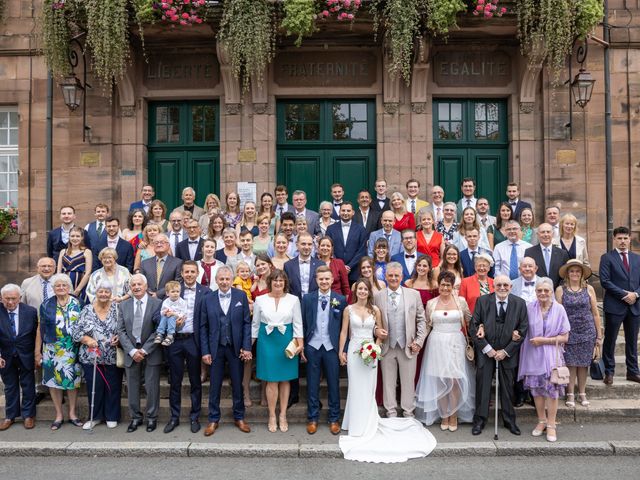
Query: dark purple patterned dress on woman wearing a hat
[{"x": 582, "y": 339}]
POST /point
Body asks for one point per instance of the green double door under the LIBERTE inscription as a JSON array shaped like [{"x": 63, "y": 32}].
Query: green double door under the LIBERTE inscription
[{"x": 184, "y": 150}]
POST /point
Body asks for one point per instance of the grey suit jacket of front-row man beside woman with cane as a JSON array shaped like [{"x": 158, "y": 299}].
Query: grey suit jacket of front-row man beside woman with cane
[{"x": 149, "y": 324}]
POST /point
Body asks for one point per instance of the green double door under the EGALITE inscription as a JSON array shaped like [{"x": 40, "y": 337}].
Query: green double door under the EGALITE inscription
[{"x": 470, "y": 140}]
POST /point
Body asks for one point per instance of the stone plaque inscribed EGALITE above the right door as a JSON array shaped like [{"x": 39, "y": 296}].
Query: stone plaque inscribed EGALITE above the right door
[{"x": 472, "y": 69}]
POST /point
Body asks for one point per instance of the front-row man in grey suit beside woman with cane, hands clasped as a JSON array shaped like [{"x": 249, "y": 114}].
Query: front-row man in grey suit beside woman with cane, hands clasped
[{"x": 138, "y": 319}]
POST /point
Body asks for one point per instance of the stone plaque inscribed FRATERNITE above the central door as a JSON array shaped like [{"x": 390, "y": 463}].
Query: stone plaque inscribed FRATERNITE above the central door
[{"x": 325, "y": 69}]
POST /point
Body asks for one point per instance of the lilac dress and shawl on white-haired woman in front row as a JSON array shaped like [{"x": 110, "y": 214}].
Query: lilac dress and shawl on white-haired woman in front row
[{"x": 536, "y": 363}]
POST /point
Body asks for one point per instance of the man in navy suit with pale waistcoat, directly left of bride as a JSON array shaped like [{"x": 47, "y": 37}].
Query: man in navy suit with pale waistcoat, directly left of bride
[{"x": 322, "y": 321}]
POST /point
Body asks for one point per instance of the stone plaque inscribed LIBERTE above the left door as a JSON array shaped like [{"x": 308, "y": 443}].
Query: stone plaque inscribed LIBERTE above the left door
[{"x": 181, "y": 71}]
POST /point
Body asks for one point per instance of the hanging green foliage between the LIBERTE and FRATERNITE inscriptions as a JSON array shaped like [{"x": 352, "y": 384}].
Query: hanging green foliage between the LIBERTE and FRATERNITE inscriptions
[{"x": 248, "y": 33}]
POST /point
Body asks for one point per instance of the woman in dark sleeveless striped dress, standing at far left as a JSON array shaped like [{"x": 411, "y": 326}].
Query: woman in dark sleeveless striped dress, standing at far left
[{"x": 76, "y": 261}]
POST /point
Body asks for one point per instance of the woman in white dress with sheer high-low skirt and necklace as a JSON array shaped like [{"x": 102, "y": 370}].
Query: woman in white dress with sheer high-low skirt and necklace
[{"x": 446, "y": 388}]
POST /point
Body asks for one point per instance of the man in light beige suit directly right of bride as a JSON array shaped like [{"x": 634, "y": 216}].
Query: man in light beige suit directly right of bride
[{"x": 403, "y": 333}]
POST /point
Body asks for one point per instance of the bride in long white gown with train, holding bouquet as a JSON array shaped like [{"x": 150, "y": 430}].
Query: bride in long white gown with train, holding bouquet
[{"x": 371, "y": 438}]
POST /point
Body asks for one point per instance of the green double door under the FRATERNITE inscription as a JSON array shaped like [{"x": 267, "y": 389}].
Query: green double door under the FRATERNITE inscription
[{"x": 321, "y": 142}]
